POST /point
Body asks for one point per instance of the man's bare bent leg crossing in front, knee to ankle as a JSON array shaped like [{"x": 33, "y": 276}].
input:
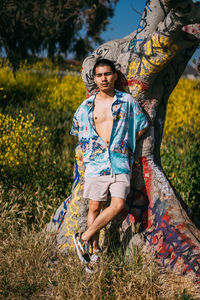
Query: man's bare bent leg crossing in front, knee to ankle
[{"x": 116, "y": 205}]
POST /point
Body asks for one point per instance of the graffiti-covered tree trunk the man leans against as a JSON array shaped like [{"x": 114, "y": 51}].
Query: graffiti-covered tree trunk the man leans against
[{"x": 150, "y": 62}]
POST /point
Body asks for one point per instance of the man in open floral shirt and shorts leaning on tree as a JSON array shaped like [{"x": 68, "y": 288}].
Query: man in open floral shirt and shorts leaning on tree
[{"x": 107, "y": 125}]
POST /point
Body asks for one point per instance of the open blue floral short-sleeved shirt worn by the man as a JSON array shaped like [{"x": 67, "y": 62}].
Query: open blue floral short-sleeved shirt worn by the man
[{"x": 117, "y": 158}]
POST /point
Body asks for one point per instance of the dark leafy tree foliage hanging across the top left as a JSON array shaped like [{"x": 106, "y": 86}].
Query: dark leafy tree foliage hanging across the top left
[{"x": 57, "y": 26}]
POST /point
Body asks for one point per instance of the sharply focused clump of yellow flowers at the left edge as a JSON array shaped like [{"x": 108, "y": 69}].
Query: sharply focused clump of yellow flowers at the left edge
[{"x": 19, "y": 140}]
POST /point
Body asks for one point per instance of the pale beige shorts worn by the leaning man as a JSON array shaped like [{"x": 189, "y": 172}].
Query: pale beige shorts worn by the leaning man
[{"x": 96, "y": 188}]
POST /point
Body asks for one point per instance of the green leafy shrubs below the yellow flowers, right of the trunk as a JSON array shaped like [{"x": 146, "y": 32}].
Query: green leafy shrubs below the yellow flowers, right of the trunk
[{"x": 180, "y": 160}]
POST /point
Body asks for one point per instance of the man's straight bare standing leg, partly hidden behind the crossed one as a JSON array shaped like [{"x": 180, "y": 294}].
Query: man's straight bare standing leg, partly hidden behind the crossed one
[{"x": 94, "y": 210}]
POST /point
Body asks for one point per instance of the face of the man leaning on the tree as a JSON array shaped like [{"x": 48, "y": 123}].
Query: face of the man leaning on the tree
[{"x": 105, "y": 78}]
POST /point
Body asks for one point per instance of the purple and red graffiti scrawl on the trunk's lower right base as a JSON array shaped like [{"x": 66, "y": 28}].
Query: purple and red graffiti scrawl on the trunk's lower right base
[{"x": 170, "y": 243}]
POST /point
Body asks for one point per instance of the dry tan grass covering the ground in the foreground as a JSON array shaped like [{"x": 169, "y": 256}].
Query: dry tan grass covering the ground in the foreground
[{"x": 32, "y": 268}]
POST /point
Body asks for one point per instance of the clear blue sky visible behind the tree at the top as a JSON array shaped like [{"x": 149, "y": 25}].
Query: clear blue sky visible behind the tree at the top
[{"x": 125, "y": 20}]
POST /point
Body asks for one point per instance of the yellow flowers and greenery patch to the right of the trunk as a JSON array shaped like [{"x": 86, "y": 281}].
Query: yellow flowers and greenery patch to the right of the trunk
[{"x": 181, "y": 142}]
